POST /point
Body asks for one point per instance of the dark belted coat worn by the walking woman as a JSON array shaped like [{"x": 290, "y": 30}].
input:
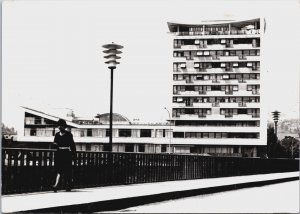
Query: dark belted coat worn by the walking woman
[{"x": 64, "y": 156}]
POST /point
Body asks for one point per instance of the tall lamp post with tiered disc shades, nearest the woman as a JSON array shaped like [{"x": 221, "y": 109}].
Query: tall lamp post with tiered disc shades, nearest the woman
[{"x": 112, "y": 51}]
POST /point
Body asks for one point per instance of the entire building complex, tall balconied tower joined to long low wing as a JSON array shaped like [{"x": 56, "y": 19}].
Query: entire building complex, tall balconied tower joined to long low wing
[{"x": 217, "y": 100}]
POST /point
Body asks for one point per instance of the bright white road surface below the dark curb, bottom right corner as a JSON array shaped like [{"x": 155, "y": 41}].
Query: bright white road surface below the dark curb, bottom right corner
[{"x": 276, "y": 198}]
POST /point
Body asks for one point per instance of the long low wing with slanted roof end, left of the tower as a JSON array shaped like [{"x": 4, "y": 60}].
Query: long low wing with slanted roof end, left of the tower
[{"x": 39, "y": 129}]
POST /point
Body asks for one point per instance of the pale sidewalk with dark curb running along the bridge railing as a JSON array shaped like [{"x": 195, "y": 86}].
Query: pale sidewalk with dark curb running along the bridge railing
[{"x": 122, "y": 196}]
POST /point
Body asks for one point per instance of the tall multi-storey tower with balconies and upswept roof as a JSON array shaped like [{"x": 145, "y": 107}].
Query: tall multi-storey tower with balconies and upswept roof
[{"x": 217, "y": 75}]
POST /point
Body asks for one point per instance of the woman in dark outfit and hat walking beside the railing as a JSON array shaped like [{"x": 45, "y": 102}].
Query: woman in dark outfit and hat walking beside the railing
[{"x": 64, "y": 155}]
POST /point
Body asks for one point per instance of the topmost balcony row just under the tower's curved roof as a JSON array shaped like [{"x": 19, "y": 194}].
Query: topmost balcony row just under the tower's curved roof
[{"x": 224, "y": 32}]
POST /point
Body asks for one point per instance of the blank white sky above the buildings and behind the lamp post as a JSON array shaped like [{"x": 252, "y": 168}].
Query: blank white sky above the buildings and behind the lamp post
[{"x": 52, "y": 54}]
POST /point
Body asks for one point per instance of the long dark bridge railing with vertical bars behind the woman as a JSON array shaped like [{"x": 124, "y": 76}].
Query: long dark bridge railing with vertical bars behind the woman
[{"x": 31, "y": 170}]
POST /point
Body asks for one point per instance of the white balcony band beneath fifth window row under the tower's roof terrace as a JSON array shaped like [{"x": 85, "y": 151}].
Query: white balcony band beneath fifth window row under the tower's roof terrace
[{"x": 218, "y": 93}]
